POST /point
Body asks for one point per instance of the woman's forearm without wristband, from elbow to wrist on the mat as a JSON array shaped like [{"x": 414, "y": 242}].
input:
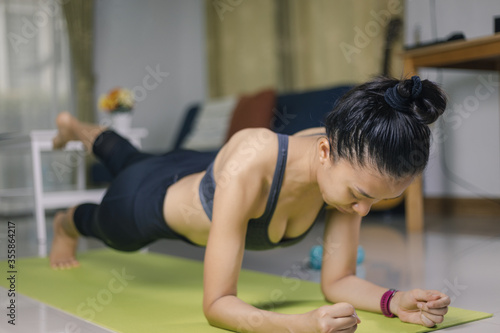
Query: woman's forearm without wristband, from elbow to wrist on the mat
[{"x": 229, "y": 312}]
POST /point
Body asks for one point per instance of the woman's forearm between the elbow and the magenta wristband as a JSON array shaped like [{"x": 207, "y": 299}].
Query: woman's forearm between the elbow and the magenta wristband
[{"x": 363, "y": 295}]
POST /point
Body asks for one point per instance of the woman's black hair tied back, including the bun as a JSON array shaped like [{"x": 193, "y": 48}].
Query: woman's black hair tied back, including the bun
[{"x": 365, "y": 128}]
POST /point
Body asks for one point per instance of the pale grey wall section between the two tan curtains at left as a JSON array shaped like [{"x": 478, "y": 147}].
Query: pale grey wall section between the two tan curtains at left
[{"x": 156, "y": 48}]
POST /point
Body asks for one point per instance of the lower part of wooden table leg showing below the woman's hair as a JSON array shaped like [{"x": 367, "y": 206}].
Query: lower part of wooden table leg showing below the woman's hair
[{"x": 414, "y": 206}]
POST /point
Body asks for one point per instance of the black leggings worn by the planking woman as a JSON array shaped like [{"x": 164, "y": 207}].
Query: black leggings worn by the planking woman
[{"x": 130, "y": 215}]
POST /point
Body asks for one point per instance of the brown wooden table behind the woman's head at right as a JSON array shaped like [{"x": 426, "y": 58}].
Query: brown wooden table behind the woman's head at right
[{"x": 480, "y": 53}]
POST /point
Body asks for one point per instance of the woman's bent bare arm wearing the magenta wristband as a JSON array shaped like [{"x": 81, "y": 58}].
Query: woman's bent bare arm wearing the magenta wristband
[{"x": 339, "y": 282}]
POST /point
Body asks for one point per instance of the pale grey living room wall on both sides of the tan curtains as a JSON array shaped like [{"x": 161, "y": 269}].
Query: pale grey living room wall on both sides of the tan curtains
[{"x": 133, "y": 36}]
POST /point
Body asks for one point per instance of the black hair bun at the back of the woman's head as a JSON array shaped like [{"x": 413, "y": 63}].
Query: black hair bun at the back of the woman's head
[{"x": 428, "y": 104}]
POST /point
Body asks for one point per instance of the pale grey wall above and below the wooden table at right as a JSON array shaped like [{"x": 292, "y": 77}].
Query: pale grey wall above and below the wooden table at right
[{"x": 467, "y": 163}]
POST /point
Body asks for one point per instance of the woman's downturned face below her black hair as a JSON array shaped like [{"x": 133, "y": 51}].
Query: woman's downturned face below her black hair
[{"x": 353, "y": 189}]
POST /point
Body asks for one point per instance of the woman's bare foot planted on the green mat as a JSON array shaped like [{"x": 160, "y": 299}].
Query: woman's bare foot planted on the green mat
[{"x": 62, "y": 253}]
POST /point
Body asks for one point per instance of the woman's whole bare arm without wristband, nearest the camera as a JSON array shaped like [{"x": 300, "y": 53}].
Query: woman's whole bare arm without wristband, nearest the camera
[{"x": 234, "y": 205}]
